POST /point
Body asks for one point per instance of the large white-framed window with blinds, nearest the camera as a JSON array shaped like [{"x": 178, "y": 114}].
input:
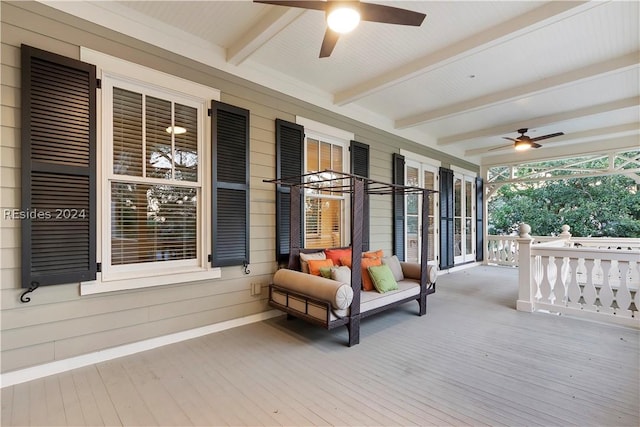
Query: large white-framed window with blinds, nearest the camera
[{"x": 154, "y": 174}]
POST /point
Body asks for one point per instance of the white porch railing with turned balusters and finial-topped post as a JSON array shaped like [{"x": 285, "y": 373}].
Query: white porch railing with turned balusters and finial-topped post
[{"x": 592, "y": 278}]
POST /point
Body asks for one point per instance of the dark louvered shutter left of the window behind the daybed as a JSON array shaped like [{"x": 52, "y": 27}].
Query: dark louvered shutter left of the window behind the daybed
[{"x": 289, "y": 150}]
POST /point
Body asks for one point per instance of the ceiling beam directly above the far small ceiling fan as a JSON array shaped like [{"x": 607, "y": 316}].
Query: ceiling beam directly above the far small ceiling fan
[{"x": 542, "y": 121}]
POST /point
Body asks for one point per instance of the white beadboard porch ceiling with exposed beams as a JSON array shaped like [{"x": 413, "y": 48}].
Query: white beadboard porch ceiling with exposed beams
[{"x": 473, "y": 73}]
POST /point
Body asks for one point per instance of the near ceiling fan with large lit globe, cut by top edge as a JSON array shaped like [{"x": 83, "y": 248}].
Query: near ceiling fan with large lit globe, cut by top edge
[{"x": 344, "y": 16}]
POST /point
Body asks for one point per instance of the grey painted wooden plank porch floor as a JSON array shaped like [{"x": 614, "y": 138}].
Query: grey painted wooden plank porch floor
[{"x": 472, "y": 360}]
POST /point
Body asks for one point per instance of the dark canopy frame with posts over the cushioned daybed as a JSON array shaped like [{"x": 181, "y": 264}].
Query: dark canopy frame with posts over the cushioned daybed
[{"x": 358, "y": 187}]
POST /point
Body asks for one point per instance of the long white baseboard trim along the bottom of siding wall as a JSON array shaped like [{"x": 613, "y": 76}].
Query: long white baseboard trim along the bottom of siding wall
[{"x": 23, "y": 375}]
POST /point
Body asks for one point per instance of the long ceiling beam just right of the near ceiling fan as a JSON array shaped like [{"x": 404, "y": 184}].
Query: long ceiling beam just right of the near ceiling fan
[{"x": 547, "y": 14}]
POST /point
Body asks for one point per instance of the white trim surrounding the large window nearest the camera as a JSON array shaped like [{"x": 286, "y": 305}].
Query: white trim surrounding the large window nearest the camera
[{"x": 111, "y": 67}]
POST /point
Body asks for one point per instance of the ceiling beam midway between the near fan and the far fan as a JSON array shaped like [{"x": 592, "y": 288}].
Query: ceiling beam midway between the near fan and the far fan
[{"x": 528, "y": 89}]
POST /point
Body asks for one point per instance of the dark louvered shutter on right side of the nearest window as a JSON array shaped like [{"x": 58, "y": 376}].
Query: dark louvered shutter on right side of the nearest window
[{"x": 230, "y": 162}]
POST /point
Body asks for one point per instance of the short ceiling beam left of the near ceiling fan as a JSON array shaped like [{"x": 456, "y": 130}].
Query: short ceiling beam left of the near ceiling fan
[{"x": 276, "y": 19}]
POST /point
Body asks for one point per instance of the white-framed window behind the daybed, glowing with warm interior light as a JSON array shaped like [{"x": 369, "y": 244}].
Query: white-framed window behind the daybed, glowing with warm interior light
[{"x": 326, "y": 213}]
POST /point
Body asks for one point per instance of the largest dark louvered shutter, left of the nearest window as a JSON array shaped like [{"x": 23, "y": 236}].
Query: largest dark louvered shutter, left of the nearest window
[{"x": 58, "y": 169}]
